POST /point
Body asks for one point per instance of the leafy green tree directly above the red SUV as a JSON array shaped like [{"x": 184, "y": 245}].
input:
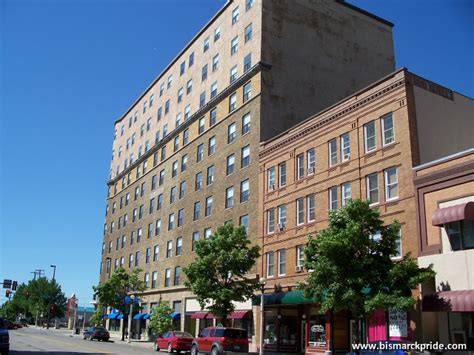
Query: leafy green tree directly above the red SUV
[{"x": 219, "y": 273}]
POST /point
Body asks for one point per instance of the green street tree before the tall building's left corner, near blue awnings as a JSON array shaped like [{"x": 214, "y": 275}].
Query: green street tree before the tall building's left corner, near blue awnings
[{"x": 112, "y": 293}]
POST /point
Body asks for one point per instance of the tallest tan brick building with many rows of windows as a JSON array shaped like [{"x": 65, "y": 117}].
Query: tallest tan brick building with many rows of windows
[{"x": 185, "y": 154}]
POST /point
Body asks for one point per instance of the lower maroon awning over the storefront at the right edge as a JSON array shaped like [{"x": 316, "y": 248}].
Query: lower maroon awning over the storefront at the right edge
[{"x": 449, "y": 301}]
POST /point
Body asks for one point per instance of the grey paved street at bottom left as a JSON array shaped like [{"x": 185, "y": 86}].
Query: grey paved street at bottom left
[{"x": 31, "y": 341}]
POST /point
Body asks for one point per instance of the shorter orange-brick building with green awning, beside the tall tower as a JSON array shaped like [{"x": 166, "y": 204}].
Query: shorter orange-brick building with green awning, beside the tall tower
[{"x": 365, "y": 147}]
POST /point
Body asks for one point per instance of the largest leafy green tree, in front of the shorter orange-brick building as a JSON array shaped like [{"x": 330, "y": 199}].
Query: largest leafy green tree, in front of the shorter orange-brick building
[{"x": 352, "y": 268}]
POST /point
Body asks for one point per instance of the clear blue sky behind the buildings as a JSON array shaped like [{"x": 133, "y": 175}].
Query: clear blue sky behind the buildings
[{"x": 70, "y": 68}]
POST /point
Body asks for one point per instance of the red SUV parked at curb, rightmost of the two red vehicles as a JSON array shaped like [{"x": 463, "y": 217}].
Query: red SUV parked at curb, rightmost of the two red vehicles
[{"x": 220, "y": 340}]
